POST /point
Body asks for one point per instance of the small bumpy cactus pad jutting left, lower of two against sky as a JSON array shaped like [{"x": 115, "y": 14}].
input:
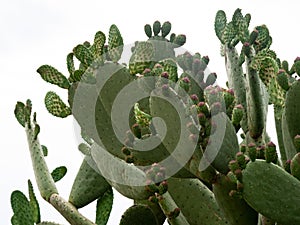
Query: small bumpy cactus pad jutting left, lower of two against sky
[{"x": 56, "y": 106}]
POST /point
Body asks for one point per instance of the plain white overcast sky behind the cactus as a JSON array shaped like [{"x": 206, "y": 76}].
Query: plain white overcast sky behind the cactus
[{"x": 37, "y": 32}]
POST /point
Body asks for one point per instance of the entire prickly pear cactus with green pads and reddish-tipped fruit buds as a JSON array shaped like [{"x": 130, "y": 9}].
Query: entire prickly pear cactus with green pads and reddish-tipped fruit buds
[{"x": 224, "y": 180}]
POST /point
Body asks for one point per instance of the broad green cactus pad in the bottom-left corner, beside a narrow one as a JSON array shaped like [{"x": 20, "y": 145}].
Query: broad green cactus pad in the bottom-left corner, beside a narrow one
[{"x": 21, "y": 208}]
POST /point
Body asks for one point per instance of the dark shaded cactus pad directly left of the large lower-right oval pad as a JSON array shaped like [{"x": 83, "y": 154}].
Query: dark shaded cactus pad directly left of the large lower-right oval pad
[{"x": 235, "y": 209}]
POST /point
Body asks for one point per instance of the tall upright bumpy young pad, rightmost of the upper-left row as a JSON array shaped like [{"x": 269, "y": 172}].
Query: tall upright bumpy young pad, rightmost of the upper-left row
[{"x": 115, "y": 43}]
